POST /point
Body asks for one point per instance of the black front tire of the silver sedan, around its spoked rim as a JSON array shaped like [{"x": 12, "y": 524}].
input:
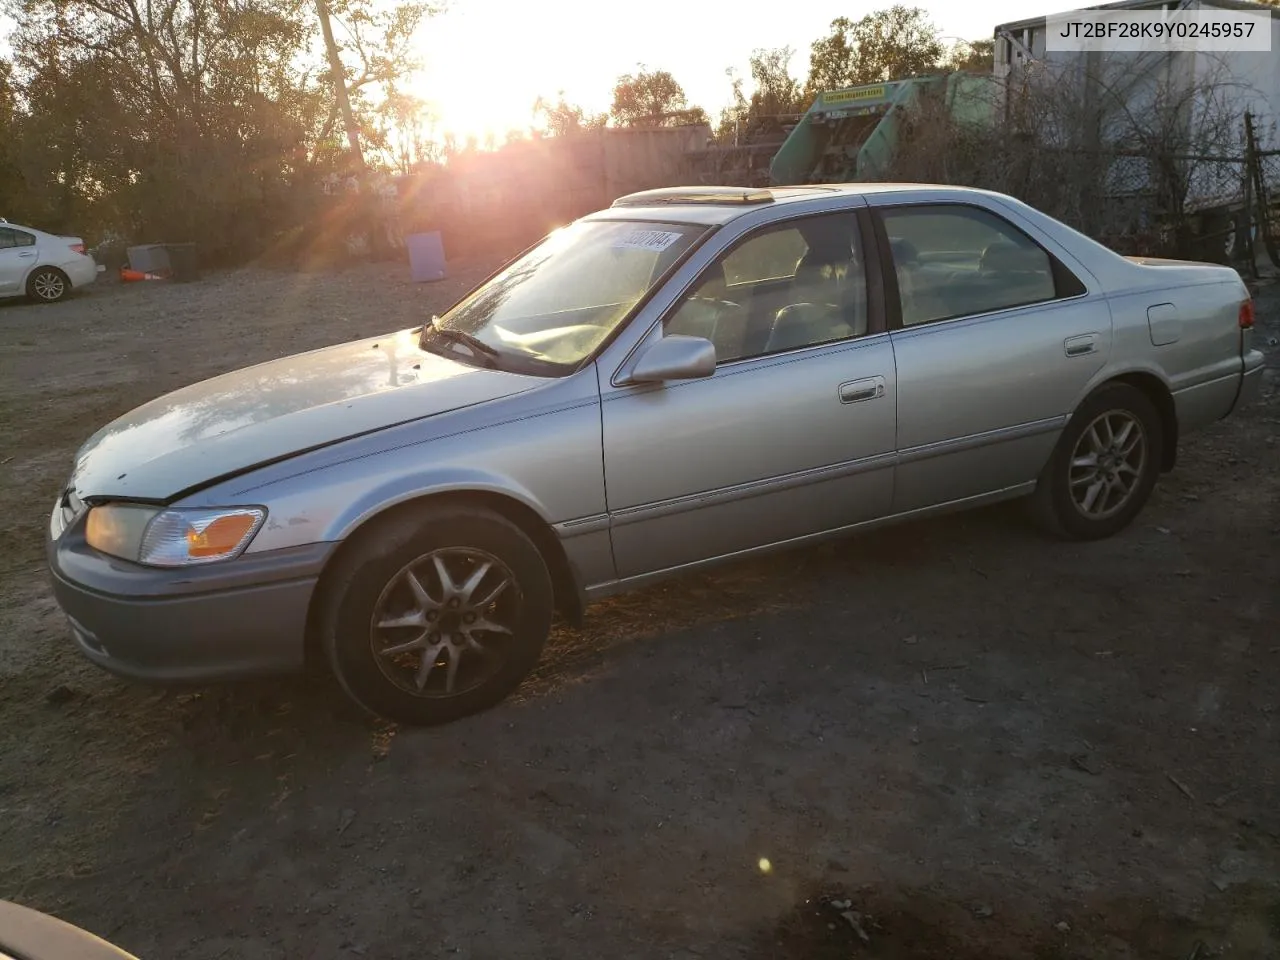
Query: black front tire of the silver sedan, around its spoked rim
[{"x": 371, "y": 579}]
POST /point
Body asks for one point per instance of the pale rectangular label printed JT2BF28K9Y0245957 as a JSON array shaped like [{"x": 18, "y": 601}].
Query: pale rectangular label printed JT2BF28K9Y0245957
[{"x": 1159, "y": 31}]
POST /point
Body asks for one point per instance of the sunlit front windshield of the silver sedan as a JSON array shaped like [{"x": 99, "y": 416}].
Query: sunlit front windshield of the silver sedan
[{"x": 552, "y": 308}]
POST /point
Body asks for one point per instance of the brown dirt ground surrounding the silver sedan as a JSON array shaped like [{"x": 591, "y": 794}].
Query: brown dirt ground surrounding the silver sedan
[{"x": 989, "y": 744}]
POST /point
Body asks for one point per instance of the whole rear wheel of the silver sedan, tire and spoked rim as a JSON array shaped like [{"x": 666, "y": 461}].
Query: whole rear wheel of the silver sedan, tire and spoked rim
[{"x": 1104, "y": 468}]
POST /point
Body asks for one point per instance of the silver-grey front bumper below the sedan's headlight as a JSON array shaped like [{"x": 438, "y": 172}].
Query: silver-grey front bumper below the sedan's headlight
[{"x": 241, "y": 619}]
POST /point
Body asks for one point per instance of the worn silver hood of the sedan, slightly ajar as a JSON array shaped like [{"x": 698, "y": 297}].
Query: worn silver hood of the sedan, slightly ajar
[{"x": 271, "y": 412}]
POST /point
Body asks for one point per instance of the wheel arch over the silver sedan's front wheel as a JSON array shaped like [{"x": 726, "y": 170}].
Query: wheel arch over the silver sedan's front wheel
[{"x": 568, "y": 593}]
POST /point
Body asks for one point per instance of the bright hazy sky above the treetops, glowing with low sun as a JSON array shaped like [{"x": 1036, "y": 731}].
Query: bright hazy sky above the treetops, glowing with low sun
[{"x": 488, "y": 61}]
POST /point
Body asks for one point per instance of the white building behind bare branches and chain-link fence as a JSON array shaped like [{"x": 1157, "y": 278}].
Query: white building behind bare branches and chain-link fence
[{"x": 1167, "y": 130}]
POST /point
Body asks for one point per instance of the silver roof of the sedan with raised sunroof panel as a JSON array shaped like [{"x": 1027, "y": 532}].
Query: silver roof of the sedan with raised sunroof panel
[{"x": 714, "y": 207}]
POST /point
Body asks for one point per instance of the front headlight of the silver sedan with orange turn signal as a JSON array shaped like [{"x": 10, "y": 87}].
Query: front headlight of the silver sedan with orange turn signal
[{"x": 173, "y": 537}]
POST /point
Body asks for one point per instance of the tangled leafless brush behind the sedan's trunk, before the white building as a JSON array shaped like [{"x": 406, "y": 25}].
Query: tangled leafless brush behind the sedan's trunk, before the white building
[{"x": 1142, "y": 152}]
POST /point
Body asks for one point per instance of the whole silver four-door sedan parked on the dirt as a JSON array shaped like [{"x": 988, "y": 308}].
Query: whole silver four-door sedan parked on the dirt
[{"x": 689, "y": 377}]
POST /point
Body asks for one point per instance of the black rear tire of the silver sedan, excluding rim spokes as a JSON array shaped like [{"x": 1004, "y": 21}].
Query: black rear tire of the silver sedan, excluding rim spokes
[{"x": 1054, "y": 505}]
